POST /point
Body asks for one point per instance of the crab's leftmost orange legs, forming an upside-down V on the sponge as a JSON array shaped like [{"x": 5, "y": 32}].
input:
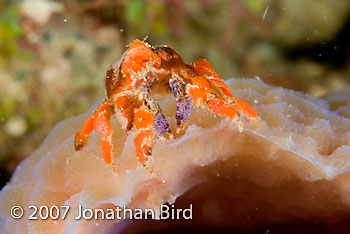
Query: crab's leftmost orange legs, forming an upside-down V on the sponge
[{"x": 98, "y": 121}]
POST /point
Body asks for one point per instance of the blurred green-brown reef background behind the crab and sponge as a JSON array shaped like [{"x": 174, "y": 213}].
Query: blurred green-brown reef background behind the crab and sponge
[{"x": 54, "y": 54}]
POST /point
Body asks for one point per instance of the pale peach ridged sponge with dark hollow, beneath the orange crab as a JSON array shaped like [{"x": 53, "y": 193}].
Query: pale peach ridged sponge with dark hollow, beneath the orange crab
[{"x": 291, "y": 163}]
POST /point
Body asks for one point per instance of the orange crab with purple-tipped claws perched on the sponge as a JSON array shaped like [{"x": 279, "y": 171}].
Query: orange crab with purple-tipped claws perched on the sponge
[{"x": 146, "y": 70}]
